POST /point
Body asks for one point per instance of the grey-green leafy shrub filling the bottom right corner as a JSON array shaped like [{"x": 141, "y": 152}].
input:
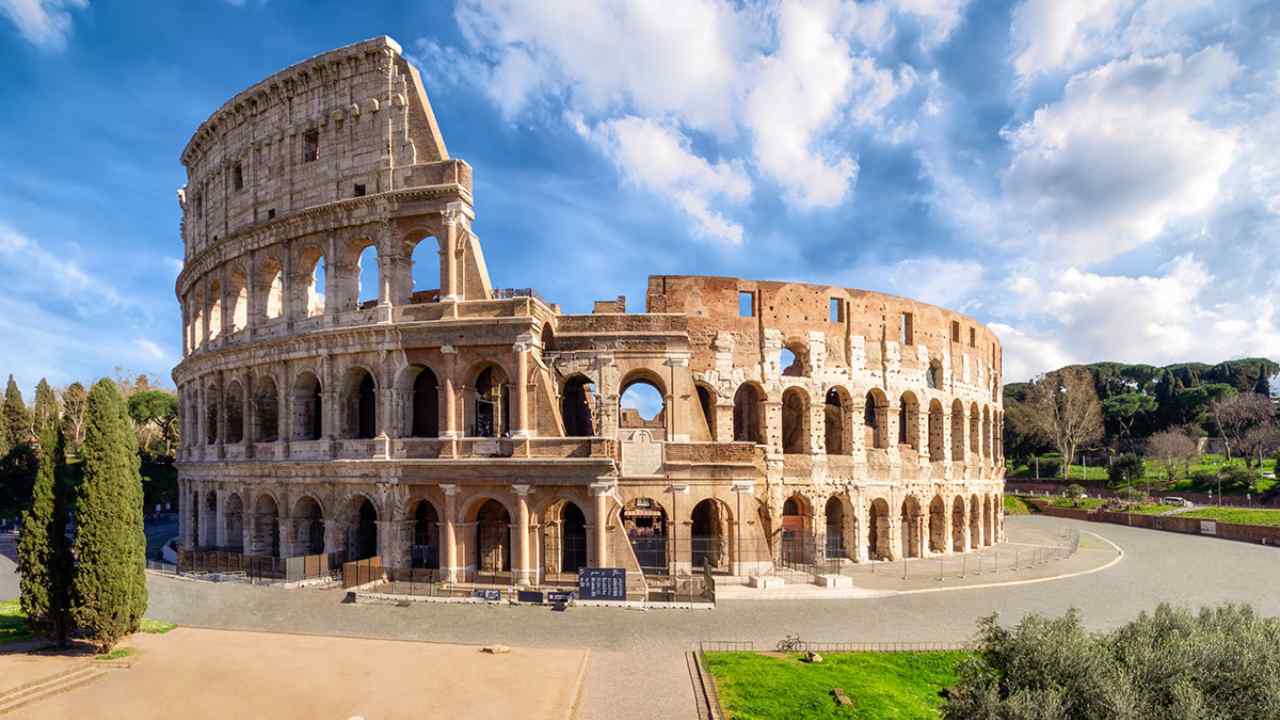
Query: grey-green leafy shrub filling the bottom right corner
[{"x": 1172, "y": 663}]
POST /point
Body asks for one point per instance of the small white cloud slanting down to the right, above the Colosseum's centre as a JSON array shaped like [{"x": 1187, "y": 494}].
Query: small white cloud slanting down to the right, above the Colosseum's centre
[{"x": 659, "y": 160}]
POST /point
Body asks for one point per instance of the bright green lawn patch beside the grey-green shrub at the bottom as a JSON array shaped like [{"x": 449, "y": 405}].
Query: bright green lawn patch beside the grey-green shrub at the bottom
[{"x": 881, "y": 685}]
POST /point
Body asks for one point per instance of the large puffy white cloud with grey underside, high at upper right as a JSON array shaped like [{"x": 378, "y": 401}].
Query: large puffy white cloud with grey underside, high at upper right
[{"x": 1122, "y": 156}]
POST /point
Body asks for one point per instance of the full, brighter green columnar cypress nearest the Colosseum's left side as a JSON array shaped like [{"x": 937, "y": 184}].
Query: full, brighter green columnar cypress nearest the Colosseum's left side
[{"x": 109, "y": 591}]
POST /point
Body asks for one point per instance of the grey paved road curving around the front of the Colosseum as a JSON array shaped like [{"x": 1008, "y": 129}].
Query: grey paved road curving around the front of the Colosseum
[{"x": 638, "y": 669}]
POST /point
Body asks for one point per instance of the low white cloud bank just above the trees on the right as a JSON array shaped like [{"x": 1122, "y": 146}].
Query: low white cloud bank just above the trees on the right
[{"x": 1082, "y": 317}]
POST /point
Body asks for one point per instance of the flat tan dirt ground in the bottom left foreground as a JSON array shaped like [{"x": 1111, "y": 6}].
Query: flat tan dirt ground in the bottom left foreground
[{"x": 225, "y": 675}]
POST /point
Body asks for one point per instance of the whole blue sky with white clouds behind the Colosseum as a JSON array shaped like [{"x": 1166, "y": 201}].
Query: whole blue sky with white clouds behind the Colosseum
[{"x": 1098, "y": 180}]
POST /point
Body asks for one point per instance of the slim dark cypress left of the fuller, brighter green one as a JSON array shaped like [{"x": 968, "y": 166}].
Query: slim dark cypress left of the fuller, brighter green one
[{"x": 44, "y": 553}]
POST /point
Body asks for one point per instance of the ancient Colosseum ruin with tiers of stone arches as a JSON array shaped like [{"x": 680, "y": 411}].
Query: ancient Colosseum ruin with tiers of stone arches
[{"x": 435, "y": 421}]
